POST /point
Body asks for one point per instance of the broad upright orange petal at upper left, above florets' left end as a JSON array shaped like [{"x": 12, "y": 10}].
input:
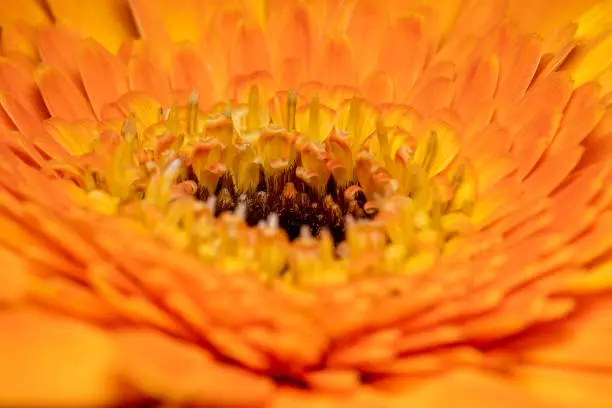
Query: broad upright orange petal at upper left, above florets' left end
[{"x": 104, "y": 76}]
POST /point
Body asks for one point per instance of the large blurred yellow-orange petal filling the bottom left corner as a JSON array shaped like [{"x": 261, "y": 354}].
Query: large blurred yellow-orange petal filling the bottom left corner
[{"x": 49, "y": 360}]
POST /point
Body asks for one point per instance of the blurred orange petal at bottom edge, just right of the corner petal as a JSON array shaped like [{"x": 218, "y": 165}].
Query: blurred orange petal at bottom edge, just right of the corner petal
[{"x": 177, "y": 372}]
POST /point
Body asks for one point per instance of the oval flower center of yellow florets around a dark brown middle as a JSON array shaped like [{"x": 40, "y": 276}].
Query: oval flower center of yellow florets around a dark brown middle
[{"x": 273, "y": 184}]
